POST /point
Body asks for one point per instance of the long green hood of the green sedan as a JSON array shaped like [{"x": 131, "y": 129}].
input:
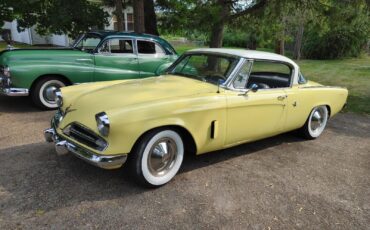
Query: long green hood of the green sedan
[{"x": 27, "y": 56}]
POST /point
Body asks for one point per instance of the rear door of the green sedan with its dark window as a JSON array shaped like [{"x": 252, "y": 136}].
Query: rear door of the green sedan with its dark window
[{"x": 152, "y": 57}]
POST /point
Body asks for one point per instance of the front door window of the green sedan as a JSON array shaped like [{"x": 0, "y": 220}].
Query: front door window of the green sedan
[{"x": 117, "y": 46}]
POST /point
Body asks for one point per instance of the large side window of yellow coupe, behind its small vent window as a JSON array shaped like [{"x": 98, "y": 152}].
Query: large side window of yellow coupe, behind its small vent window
[{"x": 268, "y": 74}]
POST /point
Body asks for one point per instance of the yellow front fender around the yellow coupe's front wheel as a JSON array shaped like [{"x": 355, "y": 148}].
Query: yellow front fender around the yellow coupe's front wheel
[{"x": 194, "y": 114}]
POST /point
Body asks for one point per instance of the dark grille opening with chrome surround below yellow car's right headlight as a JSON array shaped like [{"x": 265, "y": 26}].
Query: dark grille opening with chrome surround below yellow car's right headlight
[{"x": 85, "y": 136}]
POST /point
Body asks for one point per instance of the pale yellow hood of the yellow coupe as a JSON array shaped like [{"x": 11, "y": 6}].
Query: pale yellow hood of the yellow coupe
[{"x": 90, "y": 99}]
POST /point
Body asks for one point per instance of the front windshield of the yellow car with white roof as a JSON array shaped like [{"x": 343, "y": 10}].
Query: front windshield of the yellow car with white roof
[{"x": 210, "y": 68}]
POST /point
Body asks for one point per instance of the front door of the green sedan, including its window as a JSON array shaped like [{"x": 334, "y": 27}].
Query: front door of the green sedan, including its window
[{"x": 116, "y": 59}]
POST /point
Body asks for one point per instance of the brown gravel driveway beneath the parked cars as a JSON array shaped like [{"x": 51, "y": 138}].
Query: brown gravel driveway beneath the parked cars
[{"x": 282, "y": 182}]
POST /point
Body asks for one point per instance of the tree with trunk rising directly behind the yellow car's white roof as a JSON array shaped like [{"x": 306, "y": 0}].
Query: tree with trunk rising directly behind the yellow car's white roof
[{"x": 210, "y": 15}]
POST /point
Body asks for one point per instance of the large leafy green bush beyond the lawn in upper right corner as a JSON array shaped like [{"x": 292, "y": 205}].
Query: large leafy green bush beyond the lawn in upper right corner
[{"x": 343, "y": 33}]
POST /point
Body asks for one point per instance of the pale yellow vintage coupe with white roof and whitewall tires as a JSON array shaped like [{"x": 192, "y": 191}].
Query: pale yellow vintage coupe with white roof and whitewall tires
[{"x": 209, "y": 99}]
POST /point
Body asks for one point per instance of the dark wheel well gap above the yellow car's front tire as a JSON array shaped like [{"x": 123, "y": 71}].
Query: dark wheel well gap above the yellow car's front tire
[{"x": 189, "y": 143}]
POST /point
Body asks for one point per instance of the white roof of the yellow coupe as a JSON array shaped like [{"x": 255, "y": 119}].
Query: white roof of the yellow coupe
[{"x": 250, "y": 54}]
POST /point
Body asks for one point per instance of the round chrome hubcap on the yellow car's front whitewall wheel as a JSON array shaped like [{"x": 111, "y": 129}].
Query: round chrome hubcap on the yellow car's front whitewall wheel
[{"x": 162, "y": 156}]
